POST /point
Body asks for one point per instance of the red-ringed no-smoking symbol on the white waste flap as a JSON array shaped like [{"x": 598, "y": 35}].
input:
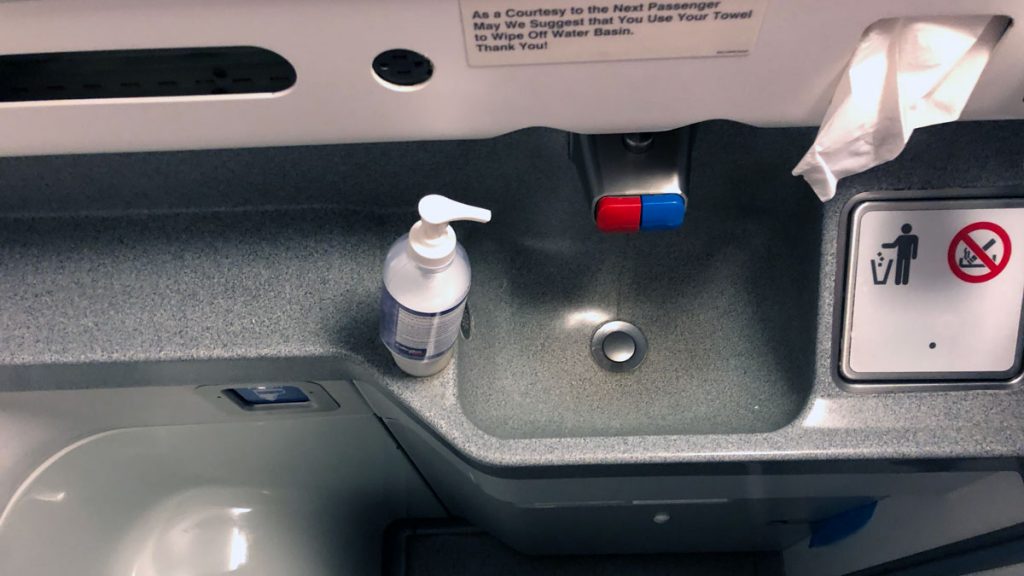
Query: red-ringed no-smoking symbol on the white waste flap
[{"x": 979, "y": 253}]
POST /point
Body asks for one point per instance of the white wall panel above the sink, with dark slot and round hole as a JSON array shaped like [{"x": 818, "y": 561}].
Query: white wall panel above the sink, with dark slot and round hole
[{"x": 788, "y": 79}]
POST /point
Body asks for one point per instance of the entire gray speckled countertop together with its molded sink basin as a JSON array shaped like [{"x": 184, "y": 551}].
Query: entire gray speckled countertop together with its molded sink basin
[{"x": 139, "y": 260}]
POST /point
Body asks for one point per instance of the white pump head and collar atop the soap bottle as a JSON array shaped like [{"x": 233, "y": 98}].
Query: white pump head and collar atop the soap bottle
[{"x": 432, "y": 241}]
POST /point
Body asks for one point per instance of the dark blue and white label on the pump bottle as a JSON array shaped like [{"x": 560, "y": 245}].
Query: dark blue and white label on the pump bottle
[{"x": 418, "y": 336}]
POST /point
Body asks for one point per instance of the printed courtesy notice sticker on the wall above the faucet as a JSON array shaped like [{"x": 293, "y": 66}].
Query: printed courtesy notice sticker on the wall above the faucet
[{"x": 518, "y": 32}]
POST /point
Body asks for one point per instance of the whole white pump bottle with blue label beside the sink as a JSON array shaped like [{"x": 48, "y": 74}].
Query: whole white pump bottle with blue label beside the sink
[{"x": 426, "y": 281}]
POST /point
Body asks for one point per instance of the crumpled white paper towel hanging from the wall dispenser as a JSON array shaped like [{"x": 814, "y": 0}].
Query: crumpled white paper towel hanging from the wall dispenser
[{"x": 907, "y": 73}]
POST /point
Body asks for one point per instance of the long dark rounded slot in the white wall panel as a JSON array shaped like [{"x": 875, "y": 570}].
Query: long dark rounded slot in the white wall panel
[{"x": 143, "y": 74}]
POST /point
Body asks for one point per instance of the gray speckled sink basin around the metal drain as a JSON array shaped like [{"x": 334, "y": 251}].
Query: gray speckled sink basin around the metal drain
[{"x": 729, "y": 306}]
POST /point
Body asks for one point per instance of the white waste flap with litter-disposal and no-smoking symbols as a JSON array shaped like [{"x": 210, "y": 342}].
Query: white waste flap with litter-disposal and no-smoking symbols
[{"x": 924, "y": 302}]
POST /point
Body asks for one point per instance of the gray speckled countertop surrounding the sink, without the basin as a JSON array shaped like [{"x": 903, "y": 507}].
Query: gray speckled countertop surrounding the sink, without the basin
[{"x": 243, "y": 256}]
